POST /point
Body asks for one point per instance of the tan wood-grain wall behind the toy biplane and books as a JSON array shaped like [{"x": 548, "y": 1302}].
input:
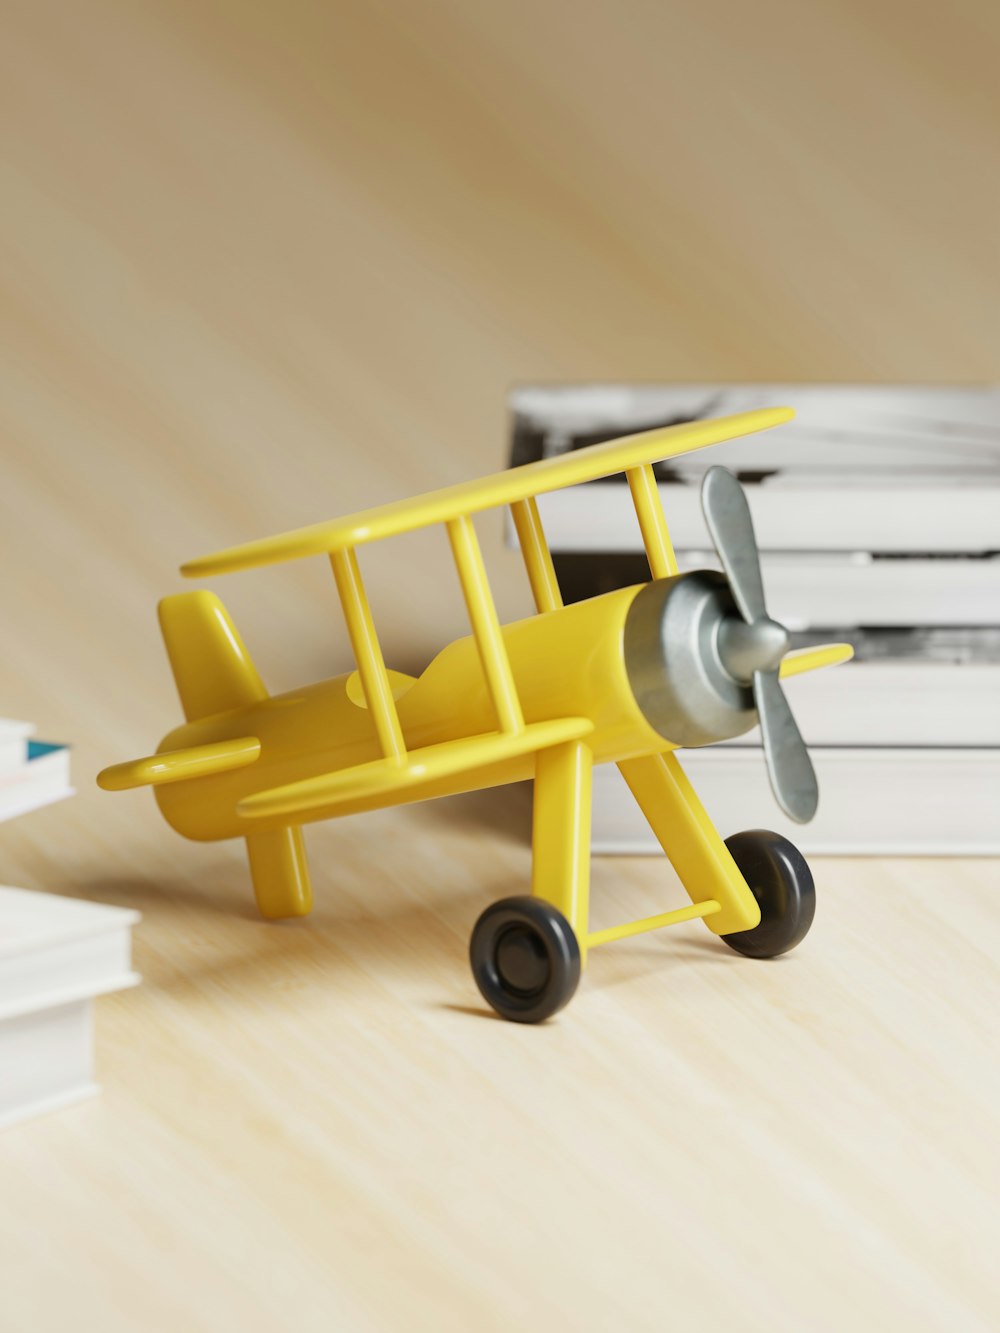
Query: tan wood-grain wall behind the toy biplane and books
[{"x": 262, "y": 265}]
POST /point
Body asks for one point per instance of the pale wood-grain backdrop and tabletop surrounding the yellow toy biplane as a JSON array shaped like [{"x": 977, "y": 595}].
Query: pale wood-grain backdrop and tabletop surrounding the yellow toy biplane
[{"x": 263, "y": 265}]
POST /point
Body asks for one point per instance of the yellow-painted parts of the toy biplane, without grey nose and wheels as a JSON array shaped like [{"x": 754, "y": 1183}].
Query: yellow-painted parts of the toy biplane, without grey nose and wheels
[{"x": 543, "y": 698}]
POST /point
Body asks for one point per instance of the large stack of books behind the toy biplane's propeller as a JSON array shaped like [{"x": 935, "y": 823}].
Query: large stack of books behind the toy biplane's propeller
[{"x": 878, "y": 517}]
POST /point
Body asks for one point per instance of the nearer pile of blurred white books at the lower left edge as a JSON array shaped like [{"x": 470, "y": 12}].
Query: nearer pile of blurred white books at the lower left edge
[{"x": 55, "y": 956}]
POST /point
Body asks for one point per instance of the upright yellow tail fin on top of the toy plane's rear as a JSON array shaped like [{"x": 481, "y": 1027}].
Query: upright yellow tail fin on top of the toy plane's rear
[{"x": 211, "y": 666}]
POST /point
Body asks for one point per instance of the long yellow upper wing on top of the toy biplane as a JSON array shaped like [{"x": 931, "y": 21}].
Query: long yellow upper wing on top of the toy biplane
[{"x": 509, "y": 487}]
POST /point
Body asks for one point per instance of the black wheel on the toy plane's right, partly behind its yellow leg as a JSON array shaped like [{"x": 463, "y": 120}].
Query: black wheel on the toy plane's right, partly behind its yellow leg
[{"x": 782, "y": 883}]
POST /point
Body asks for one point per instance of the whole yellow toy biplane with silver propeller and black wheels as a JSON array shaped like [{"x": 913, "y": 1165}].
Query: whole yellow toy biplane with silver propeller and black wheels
[{"x": 626, "y": 678}]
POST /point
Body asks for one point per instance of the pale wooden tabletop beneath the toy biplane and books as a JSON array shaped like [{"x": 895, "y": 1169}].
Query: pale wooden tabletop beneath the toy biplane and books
[{"x": 318, "y": 1126}]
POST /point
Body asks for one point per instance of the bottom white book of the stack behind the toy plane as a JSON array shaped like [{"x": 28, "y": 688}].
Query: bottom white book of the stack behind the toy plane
[{"x": 873, "y": 802}]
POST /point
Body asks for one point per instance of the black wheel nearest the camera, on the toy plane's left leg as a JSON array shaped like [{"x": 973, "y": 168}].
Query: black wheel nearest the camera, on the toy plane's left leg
[{"x": 526, "y": 959}]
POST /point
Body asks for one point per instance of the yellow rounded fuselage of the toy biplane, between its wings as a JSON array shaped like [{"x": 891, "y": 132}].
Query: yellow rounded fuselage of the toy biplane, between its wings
[{"x": 566, "y": 663}]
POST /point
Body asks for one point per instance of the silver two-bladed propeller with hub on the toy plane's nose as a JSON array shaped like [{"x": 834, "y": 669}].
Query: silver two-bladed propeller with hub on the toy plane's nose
[{"x": 753, "y": 649}]
